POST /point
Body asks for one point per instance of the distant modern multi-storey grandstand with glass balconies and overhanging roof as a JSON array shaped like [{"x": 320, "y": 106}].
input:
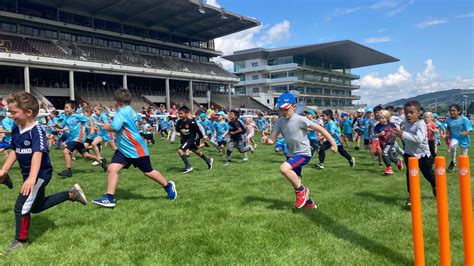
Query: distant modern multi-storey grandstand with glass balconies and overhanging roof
[{"x": 320, "y": 74}]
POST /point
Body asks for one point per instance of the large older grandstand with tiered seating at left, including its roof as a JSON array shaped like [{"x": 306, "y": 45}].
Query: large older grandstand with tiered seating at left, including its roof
[{"x": 161, "y": 50}]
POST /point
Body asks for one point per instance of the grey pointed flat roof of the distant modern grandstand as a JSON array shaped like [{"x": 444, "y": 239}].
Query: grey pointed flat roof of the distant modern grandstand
[{"x": 347, "y": 54}]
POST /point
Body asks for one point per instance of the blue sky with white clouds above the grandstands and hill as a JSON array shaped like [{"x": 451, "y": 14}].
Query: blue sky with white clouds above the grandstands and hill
[{"x": 434, "y": 40}]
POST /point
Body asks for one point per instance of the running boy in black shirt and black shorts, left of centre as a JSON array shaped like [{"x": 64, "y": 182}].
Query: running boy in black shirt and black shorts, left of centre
[{"x": 190, "y": 134}]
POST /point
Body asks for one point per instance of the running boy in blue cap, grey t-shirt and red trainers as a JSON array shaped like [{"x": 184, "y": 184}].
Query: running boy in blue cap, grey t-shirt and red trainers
[{"x": 294, "y": 129}]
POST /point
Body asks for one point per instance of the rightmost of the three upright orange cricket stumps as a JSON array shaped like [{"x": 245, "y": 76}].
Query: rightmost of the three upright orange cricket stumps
[{"x": 466, "y": 207}]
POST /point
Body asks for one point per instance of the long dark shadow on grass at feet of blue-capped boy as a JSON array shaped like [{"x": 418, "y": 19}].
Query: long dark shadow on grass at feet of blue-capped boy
[{"x": 338, "y": 230}]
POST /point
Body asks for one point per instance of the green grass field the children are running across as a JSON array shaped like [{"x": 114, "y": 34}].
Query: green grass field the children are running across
[{"x": 237, "y": 214}]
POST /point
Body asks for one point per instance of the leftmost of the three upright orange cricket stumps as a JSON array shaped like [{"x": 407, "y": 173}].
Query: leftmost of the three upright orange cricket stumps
[{"x": 416, "y": 217}]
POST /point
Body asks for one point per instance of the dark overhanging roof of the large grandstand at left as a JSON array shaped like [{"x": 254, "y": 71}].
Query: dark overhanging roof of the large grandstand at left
[{"x": 188, "y": 18}]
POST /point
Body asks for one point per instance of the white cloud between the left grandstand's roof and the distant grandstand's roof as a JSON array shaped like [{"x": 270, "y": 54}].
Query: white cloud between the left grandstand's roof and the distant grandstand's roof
[{"x": 251, "y": 38}]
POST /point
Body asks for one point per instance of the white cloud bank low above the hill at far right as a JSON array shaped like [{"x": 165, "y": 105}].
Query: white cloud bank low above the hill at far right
[{"x": 402, "y": 84}]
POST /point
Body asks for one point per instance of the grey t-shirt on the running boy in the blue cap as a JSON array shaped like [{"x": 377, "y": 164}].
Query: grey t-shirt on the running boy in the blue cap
[{"x": 294, "y": 132}]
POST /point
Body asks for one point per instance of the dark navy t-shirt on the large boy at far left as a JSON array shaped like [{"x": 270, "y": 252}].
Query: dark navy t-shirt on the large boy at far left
[{"x": 27, "y": 142}]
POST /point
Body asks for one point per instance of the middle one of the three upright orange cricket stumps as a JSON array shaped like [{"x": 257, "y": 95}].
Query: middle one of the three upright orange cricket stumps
[{"x": 443, "y": 213}]
